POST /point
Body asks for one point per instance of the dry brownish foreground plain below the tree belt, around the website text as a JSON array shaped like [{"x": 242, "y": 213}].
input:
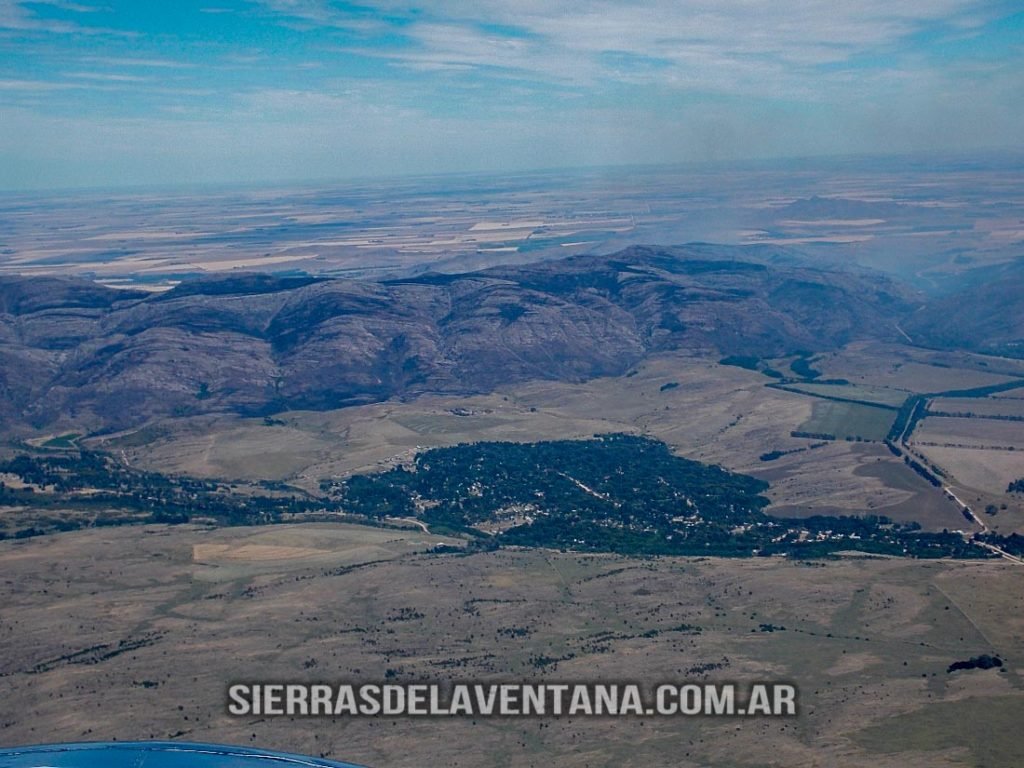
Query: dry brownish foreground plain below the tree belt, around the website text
[{"x": 155, "y": 623}]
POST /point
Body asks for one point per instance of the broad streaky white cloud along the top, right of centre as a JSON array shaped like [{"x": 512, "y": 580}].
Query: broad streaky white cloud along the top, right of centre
[{"x": 743, "y": 48}]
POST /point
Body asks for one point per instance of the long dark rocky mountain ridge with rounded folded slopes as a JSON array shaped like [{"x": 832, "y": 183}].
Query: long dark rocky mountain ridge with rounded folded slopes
[{"x": 74, "y": 353}]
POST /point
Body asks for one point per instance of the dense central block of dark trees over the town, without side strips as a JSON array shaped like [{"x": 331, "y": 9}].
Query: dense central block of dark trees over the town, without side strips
[{"x": 624, "y": 482}]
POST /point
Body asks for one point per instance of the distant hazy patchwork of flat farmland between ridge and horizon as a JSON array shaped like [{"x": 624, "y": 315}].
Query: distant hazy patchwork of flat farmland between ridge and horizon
[{"x": 373, "y": 228}]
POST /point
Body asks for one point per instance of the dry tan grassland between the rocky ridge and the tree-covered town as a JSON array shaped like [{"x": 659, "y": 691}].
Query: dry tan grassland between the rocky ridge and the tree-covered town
[{"x": 717, "y": 414}]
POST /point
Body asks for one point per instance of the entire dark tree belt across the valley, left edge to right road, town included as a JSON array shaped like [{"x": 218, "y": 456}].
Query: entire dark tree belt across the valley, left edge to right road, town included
[{"x": 614, "y": 493}]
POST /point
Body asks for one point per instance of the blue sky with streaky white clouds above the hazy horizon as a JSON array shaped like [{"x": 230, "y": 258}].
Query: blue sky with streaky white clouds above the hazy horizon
[{"x": 155, "y": 93}]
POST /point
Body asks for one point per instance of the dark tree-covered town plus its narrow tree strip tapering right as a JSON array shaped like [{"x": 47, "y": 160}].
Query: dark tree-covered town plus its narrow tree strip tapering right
[{"x": 620, "y": 494}]
